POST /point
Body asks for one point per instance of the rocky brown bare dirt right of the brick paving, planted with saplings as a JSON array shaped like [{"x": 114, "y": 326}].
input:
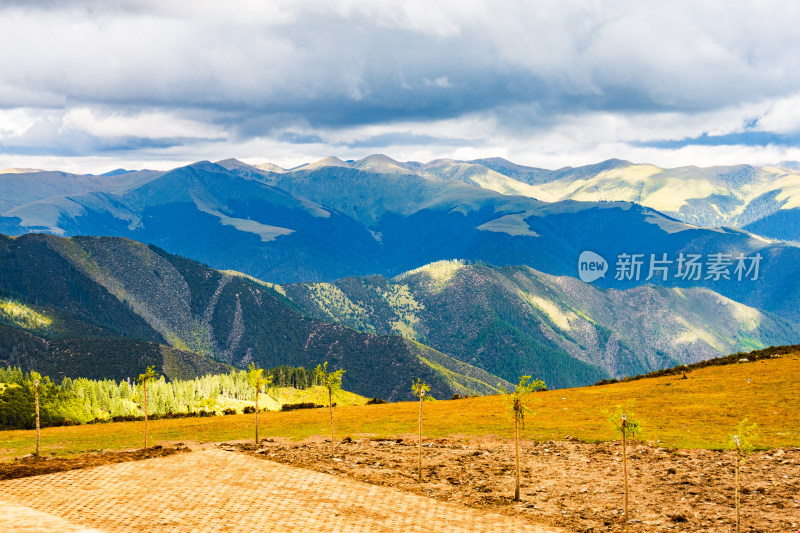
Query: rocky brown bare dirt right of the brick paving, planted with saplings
[{"x": 570, "y": 484}]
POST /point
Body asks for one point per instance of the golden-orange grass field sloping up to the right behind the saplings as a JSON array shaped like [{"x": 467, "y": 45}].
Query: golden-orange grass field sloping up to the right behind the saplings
[{"x": 702, "y": 411}]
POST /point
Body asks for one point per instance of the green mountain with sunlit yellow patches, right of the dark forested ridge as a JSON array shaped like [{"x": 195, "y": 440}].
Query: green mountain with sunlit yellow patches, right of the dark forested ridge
[{"x": 516, "y": 320}]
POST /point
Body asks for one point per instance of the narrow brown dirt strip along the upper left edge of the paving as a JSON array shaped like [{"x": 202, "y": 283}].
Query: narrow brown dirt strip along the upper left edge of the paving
[{"x": 31, "y": 466}]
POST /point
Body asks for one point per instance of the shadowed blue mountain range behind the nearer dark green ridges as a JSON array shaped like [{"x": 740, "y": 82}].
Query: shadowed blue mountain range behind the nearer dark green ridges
[{"x": 334, "y": 219}]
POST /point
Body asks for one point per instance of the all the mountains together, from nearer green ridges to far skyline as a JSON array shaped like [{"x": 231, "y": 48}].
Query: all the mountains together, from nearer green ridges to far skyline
[{"x": 463, "y": 272}]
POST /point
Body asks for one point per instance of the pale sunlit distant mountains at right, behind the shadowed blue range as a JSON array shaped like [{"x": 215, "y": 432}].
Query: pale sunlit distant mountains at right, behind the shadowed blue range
[{"x": 716, "y": 196}]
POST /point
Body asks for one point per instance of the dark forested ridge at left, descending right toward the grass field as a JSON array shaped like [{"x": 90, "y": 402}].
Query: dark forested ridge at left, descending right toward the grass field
[{"x": 98, "y": 289}]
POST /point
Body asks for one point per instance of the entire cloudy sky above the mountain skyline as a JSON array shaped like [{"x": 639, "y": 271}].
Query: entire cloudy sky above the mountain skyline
[{"x": 94, "y": 85}]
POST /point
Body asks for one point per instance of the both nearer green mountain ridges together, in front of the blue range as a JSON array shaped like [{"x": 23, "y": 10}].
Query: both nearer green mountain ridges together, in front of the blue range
[{"x": 103, "y": 306}]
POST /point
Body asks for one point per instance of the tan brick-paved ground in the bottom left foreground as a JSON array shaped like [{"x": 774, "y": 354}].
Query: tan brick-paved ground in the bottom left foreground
[{"x": 215, "y": 490}]
